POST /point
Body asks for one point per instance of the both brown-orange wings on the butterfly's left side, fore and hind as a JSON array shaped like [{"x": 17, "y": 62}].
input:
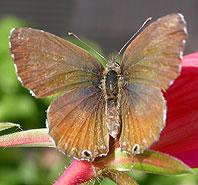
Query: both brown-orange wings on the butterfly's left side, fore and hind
[{"x": 47, "y": 64}]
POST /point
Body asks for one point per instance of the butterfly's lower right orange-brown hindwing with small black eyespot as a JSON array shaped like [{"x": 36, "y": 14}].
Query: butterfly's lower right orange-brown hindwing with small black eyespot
[{"x": 142, "y": 120}]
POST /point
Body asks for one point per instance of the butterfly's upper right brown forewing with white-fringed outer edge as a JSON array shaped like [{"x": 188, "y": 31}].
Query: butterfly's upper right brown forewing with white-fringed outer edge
[{"x": 154, "y": 57}]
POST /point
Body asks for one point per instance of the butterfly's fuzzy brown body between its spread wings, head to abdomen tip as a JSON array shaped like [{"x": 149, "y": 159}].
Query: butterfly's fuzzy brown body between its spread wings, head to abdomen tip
[{"x": 112, "y": 85}]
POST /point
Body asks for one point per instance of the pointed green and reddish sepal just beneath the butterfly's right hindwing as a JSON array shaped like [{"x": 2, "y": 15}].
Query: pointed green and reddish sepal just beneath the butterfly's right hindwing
[{"x": 149, "y": 161}]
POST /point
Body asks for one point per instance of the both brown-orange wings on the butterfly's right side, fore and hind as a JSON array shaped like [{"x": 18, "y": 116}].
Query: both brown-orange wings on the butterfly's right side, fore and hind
[{"x": 150, "y": 64}]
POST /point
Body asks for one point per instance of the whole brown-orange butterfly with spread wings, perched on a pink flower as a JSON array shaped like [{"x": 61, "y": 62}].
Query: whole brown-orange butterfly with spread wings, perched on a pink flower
[{"x": 122, "y": 101}]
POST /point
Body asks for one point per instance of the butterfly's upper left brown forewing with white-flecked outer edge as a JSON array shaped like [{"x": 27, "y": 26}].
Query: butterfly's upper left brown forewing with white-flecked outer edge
[{"x": 47, "y": 64}]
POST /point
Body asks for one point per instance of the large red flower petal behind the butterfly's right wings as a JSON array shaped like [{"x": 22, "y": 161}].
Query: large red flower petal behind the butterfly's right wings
[{"x": 180, "y": 136}]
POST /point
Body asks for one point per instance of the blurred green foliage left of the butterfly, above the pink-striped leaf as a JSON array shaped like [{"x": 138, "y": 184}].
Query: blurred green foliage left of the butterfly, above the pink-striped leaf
[{"x": 16, "y": 104}]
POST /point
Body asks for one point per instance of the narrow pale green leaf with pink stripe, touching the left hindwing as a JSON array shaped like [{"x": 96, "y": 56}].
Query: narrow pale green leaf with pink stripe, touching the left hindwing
[{"x": 29, "y": 138}]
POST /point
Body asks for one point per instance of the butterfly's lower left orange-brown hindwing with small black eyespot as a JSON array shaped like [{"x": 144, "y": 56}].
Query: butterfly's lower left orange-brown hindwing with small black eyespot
[{"x": 77, "y": 124}]
